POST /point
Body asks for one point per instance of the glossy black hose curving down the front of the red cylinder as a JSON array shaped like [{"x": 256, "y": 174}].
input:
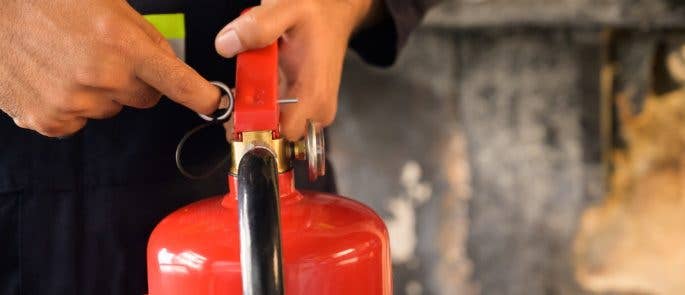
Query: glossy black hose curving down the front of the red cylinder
[{"x": 259, "y": 221}]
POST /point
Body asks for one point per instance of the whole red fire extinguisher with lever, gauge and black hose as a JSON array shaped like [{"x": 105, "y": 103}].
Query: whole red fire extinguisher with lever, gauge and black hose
[{"x": 264, "y": 236}]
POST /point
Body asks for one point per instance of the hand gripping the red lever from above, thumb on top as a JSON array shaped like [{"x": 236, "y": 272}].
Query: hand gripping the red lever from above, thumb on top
[{"x": 314, "y": 36}]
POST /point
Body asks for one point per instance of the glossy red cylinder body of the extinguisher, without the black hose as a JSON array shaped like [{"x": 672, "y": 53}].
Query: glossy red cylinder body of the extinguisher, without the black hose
[{"x": 331, "y": 245}]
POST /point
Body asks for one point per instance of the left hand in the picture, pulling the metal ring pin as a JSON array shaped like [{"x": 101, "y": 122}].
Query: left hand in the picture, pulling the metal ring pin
[{"x": 66, "y": 61}]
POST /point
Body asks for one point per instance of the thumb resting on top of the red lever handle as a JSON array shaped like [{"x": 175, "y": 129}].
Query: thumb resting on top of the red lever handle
[{"x": 256, "y": 28}]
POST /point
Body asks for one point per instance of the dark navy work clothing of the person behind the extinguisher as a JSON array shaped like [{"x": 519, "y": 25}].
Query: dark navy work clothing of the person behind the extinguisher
[{"x": 75, "y": 213}]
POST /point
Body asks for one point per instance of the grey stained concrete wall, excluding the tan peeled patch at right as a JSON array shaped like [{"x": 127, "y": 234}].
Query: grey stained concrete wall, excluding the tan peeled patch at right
[{"x": 481, "y": 147}]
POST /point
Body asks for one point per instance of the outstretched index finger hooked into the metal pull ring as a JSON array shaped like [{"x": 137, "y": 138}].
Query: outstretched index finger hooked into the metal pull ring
[{"x": 175, "y": 79}]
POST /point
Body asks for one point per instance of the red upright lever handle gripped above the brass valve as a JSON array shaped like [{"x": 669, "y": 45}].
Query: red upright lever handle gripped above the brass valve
[{"x": 256, "y": 89}]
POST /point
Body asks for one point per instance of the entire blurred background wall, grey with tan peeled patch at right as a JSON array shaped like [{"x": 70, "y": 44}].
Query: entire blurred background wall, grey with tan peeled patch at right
[{"x": 525, "y": 147}]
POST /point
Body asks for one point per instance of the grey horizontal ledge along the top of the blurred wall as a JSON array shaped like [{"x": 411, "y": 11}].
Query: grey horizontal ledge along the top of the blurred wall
[{"x": 558, "y": 13}]
